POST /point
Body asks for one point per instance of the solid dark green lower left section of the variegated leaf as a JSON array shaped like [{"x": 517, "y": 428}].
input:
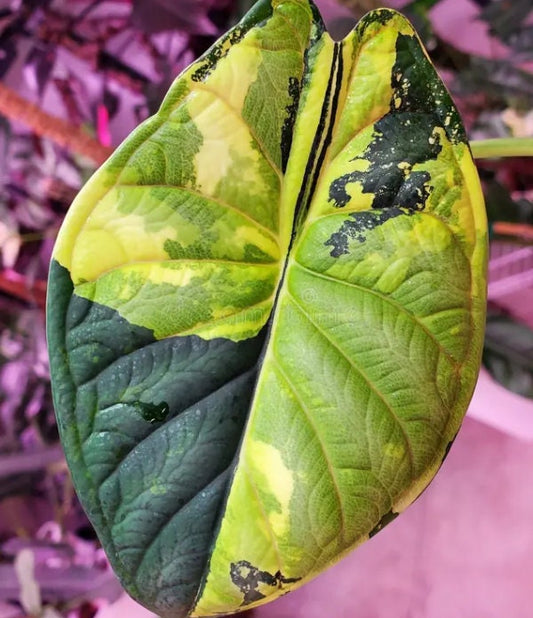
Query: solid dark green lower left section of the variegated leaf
[{"x": 150, "y": 429}]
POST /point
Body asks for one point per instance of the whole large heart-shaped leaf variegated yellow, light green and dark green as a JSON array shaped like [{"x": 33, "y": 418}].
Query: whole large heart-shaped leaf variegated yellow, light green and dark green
[{"x": 266, "y": 310}]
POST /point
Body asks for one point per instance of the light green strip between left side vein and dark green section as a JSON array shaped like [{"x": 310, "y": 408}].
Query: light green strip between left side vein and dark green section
[{"x": 211, "y": 296}]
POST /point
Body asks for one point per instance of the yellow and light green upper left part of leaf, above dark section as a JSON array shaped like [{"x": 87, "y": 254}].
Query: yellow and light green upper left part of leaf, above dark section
[{"x": 189, "y": 213}]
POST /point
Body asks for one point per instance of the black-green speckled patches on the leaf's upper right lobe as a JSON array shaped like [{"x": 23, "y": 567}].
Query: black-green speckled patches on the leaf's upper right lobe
[{"x": 404, "y": 137}]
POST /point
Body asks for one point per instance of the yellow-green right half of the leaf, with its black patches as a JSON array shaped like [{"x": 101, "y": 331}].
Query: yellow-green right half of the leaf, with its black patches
[{"x": 384, "y": 287}]
